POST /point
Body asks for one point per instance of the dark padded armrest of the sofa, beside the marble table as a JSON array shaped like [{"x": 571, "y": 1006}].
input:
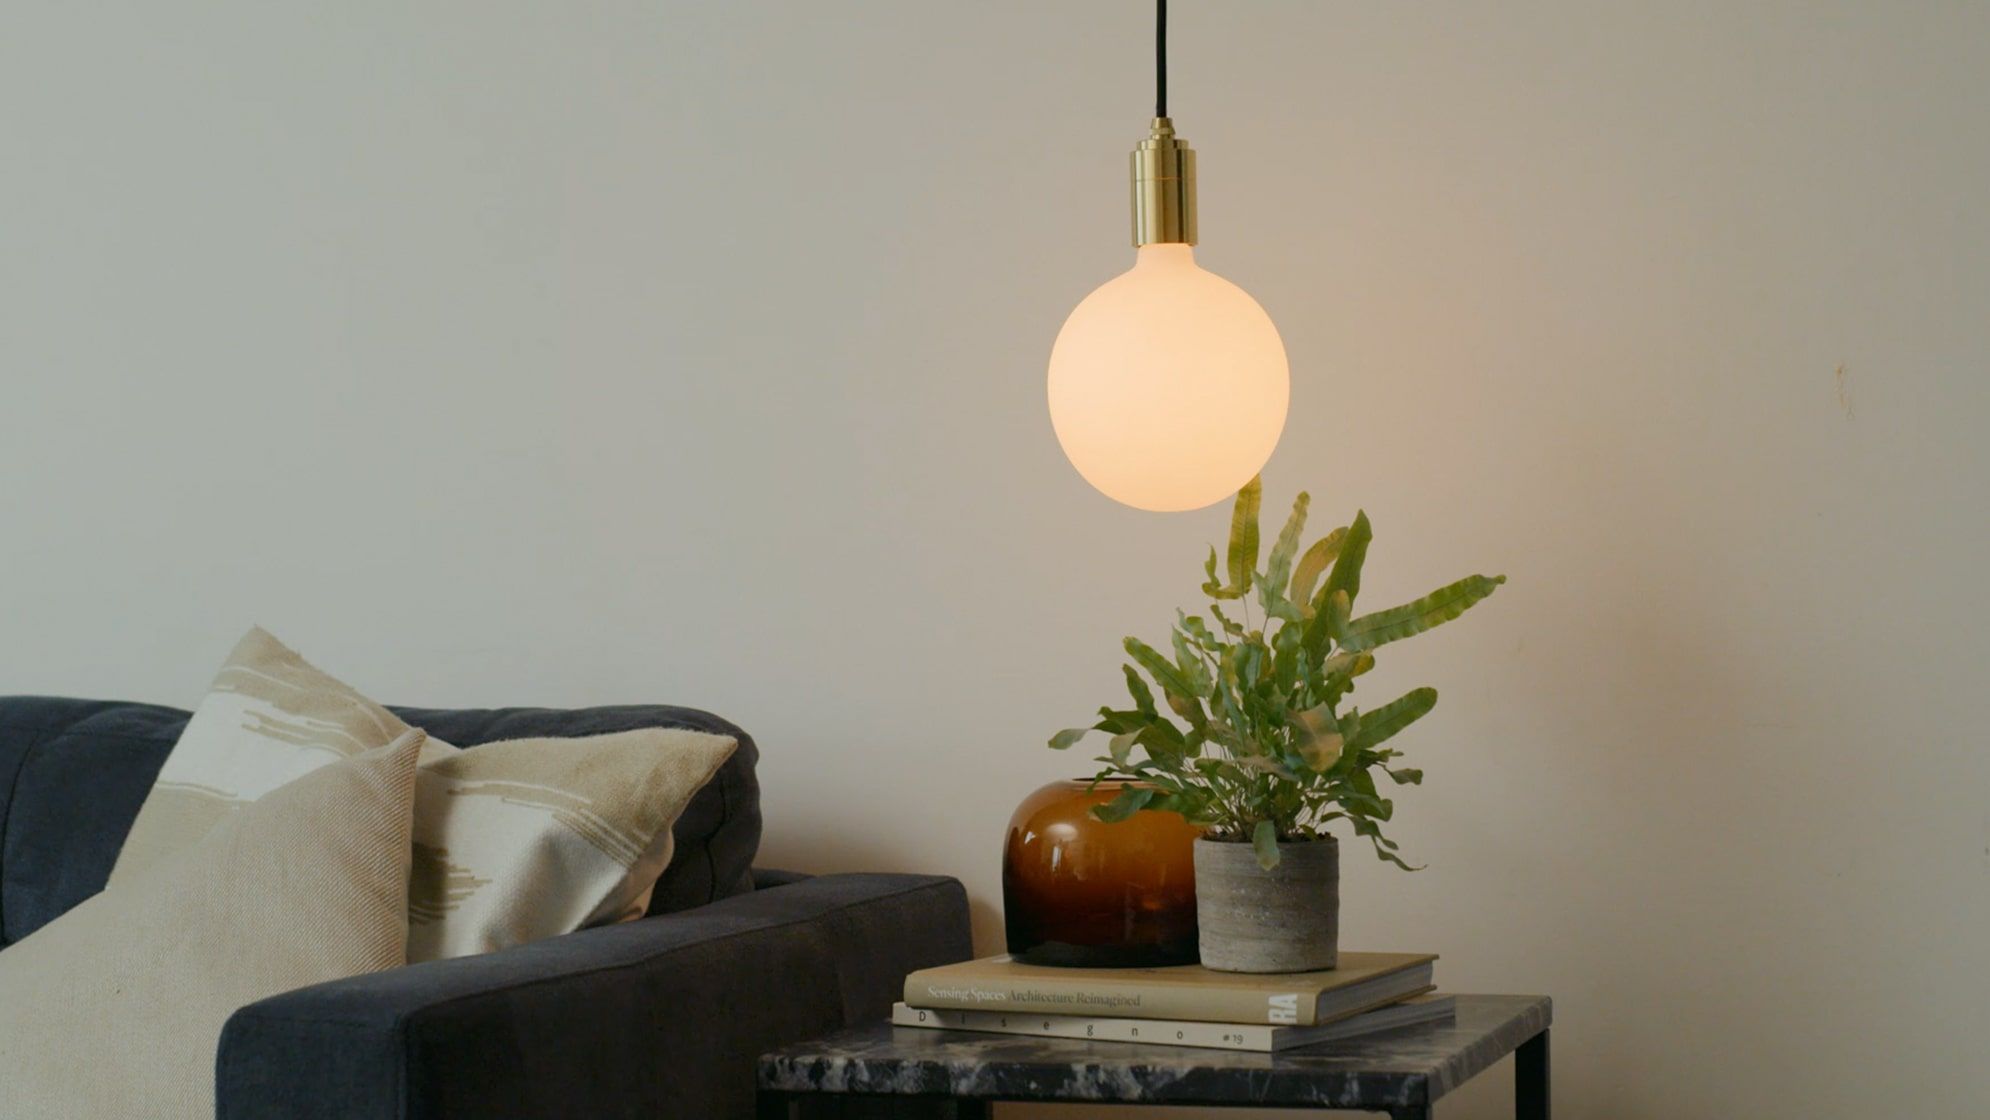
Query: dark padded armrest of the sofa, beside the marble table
[{"x": 656, "y": 1018}]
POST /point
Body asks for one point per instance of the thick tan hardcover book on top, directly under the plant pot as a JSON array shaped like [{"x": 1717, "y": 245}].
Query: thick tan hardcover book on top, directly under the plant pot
[{"x": 1181, "y": 992}]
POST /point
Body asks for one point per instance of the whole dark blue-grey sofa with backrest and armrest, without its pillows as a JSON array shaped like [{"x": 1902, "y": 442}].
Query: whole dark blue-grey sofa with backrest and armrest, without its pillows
[{"x": 658, "y": 1018}]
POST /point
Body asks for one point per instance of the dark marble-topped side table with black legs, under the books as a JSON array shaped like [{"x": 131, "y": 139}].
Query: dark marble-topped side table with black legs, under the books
[{"x": 910, "y": 1071}]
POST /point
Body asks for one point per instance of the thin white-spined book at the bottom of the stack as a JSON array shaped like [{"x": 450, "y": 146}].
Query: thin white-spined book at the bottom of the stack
[{"x": 1183, "y": 1031}]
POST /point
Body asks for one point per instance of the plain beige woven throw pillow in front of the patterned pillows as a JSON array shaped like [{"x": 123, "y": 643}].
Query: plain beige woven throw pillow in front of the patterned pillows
[{"x": 114, "y": 1010}]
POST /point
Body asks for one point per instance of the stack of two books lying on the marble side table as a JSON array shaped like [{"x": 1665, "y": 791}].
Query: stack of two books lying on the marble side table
[{"x": 1183, "y": 1006}]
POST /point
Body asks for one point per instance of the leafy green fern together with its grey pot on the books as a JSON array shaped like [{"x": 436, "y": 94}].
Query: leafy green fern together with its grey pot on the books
[{"x": 1263, "y": 749}]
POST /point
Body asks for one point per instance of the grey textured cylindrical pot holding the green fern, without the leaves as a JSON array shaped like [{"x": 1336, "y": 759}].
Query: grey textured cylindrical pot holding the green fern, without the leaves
[{"x": 1287, "y": 920}]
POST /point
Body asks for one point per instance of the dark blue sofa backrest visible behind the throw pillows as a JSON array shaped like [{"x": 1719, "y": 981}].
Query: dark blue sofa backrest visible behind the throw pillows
[{"x": 75, "y": 775}]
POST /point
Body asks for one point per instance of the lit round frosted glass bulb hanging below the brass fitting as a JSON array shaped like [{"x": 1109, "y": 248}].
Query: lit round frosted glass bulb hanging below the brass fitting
[{"x": 1169, "y": 385}]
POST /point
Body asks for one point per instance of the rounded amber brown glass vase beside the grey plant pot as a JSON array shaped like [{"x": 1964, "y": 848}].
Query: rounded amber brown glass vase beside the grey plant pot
[{"x": 1103, "y": 896}]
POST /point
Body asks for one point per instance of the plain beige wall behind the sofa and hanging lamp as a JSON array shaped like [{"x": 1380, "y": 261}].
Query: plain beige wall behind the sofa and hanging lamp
[{"x": 566, "y": 355}]
